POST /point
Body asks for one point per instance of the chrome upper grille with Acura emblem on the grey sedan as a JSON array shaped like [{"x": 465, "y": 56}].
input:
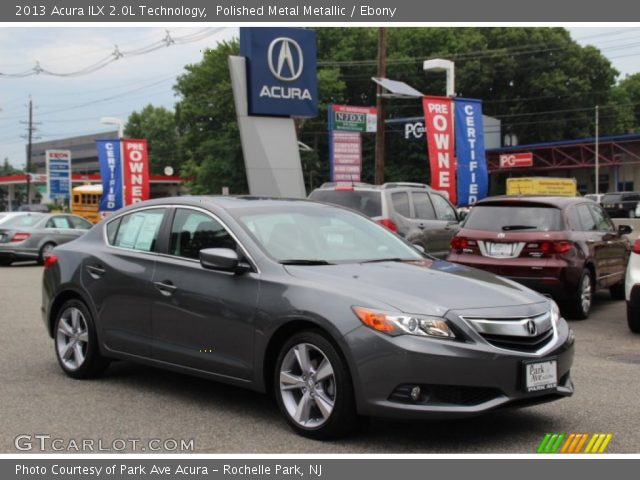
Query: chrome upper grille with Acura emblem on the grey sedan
[{"x": 523, "y": 334}]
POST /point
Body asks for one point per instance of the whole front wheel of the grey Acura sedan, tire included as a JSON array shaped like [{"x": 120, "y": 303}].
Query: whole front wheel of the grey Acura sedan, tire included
[{"x": 313, "y": 387}]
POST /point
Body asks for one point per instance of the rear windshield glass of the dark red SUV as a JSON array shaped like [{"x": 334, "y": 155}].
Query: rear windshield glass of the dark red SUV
[{"x": 520, "y": 217}]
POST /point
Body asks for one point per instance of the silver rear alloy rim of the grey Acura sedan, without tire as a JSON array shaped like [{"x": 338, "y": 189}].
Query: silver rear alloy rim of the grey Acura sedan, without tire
[{"x": 72, "y": 338}]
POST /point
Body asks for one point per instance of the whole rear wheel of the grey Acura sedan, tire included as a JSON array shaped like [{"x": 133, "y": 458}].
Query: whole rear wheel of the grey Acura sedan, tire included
[{"x": 76, "y": 342}]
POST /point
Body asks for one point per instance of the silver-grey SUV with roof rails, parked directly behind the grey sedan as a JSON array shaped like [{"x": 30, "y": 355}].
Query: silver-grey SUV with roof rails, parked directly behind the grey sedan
[{"x": 415, "y": 211}]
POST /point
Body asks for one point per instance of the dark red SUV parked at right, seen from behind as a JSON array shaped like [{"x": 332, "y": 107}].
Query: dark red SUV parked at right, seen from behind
[{"x": 563, "y": 246}]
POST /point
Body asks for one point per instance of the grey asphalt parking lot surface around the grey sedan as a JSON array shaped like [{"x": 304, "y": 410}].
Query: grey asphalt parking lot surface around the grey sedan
[{"x": 132, "y": 401}]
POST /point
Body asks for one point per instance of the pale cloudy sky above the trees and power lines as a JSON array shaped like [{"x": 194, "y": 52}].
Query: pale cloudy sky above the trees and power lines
[{"x": 69, "y": 106}]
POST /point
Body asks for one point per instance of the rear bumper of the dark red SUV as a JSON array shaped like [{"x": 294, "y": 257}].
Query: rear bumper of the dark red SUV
[{"x": 550, "y": 276}]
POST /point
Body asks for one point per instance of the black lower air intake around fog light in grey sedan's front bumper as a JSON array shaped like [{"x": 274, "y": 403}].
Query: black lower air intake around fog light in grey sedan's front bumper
[{"x": 445, "y": 394}]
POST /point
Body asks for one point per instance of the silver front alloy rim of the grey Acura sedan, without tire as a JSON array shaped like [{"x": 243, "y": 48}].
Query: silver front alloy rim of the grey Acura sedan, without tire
[{"x": 307, "y": 385}]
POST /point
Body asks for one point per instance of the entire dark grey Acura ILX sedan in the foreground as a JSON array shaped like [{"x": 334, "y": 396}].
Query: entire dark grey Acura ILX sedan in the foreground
[{"x": 335, "y": 315}]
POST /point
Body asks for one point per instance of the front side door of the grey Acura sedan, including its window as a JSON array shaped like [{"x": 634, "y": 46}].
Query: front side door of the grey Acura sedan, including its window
[{"x": 203, "y": 319}]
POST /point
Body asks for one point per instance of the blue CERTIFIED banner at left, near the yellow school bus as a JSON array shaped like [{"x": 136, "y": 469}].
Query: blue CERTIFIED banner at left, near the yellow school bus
[{"x": 111, "y": 172}]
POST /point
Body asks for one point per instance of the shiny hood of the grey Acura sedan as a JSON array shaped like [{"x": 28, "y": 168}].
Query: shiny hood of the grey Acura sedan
[{"x": 430, "y": 287}]
